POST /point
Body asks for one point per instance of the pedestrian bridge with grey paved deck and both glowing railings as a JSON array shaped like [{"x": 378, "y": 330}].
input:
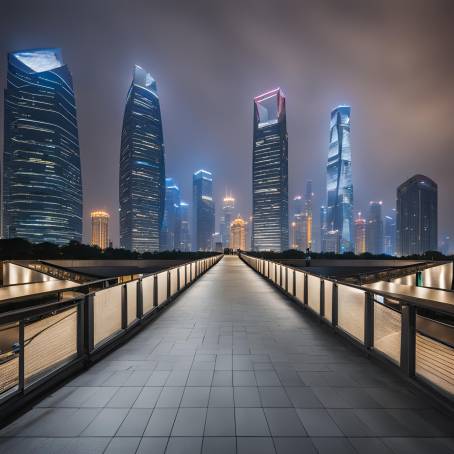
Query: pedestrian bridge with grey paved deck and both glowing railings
[{"x": 235, "y": 364}]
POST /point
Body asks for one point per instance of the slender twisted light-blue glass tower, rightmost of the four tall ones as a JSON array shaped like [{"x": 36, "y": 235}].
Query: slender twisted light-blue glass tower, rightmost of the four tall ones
[{"x": 339, "y": 179}]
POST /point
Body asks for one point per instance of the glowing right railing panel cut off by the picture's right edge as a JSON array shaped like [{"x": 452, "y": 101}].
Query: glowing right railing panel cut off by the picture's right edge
[{"x": 434, "y": 358}]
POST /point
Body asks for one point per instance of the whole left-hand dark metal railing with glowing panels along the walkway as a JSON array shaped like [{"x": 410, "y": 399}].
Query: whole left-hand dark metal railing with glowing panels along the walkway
[{"x": 43, "y": 344}]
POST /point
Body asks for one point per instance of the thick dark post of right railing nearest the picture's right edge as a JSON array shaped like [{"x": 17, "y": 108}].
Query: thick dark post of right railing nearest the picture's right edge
[{"x": 408, "y": 340}]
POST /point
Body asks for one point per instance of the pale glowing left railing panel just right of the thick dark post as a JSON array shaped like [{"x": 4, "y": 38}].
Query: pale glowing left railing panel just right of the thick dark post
[{"x": 107, "y": 313}]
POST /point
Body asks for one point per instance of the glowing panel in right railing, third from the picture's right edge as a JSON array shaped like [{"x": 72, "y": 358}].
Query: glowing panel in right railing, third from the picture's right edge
[{"x": 350, "y": 311}]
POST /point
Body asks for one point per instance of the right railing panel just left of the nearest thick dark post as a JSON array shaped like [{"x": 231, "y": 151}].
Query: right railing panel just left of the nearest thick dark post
[{"x": 387, "y": 330}]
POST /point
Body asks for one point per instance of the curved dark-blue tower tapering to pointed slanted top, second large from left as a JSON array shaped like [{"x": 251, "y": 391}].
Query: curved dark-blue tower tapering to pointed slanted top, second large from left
[{"x": 142, "y": 170}]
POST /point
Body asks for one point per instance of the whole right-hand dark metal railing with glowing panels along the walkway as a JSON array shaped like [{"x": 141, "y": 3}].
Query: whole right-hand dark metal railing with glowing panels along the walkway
[{"x": 390, "y": 326}]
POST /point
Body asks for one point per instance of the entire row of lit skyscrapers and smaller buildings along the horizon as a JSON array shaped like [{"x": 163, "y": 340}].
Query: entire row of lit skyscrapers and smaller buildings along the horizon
[{"x": 42, "y": 184}]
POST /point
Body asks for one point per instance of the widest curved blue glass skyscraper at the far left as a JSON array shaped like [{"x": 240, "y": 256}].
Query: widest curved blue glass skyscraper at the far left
[{"x": 42, "y": 183}]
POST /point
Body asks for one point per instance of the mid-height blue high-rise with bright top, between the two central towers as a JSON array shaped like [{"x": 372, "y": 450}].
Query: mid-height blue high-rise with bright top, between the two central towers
[{"x": 203, "y": 210}]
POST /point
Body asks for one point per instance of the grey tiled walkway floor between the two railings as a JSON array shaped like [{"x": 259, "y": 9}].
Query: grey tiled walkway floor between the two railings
[{"x": 232, "y": 366}]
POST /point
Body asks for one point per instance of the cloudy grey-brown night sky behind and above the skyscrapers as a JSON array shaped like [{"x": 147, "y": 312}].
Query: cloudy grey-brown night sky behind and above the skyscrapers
[{"x": 392, "y": 61}]
